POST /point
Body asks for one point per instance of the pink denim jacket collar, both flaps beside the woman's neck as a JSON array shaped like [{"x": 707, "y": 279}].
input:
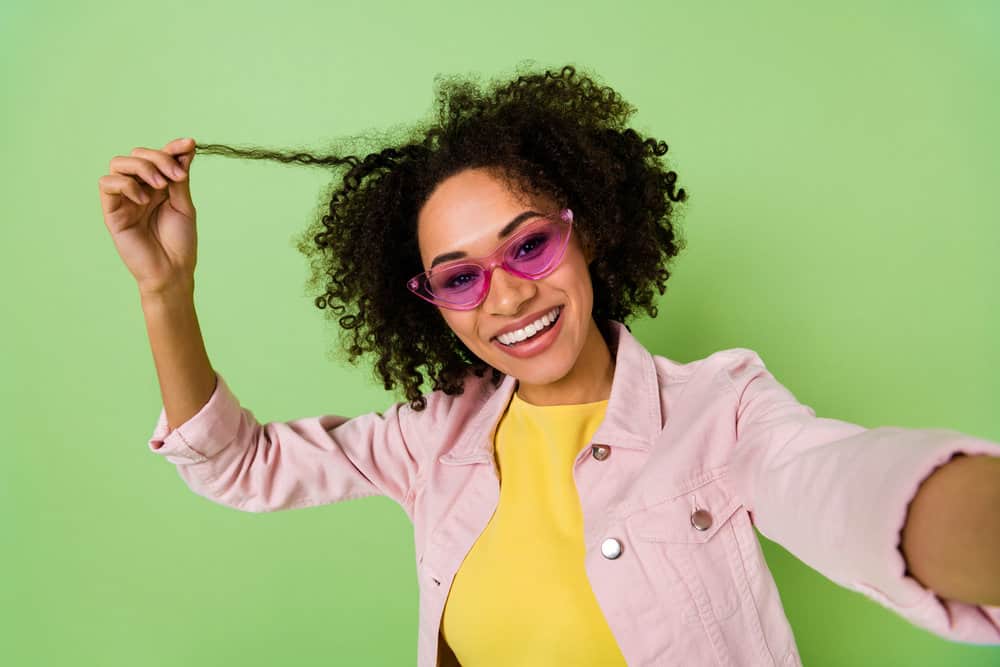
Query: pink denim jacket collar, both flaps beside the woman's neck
[{"x": 632, "y": 419}]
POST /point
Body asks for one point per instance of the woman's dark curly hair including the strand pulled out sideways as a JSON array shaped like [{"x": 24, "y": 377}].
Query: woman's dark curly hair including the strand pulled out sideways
[{"x": 554, "y": 132}]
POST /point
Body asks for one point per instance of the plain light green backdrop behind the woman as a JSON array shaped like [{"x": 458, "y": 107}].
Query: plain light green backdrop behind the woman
[{"x": 842, "y": 162}]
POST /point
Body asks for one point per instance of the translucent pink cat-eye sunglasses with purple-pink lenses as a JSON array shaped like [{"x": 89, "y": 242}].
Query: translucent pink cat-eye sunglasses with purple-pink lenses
[{"x": 533, "y": 253}]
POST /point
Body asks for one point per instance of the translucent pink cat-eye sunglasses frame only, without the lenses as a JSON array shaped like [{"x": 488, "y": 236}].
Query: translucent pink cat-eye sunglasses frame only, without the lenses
[{"x": 418, "y": 284}]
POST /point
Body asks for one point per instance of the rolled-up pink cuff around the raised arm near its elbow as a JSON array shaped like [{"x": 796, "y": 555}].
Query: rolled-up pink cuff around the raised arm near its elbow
[{"x": 202, "y": 436}]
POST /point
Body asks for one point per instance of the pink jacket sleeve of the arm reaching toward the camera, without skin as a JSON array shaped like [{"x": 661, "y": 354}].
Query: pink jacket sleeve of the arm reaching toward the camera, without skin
[{"x": 835, "y": 494}]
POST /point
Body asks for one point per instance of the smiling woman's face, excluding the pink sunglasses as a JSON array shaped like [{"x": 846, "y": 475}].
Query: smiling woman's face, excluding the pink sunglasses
[{"x": 465, "y": 213}]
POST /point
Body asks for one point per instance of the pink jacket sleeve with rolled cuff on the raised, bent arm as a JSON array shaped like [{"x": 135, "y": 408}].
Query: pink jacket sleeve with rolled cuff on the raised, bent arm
[{"x": 224, "y": 454}]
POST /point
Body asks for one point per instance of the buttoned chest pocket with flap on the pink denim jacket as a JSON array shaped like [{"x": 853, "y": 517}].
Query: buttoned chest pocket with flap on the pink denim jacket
[{"x": 696, "y": 559}]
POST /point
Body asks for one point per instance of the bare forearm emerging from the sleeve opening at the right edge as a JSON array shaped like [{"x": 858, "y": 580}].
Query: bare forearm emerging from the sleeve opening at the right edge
[{"x": 951, "y": 539}]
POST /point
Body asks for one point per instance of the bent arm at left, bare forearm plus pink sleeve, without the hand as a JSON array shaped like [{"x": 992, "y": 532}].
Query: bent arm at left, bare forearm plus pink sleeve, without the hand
[{"x": 224, "y": 454}]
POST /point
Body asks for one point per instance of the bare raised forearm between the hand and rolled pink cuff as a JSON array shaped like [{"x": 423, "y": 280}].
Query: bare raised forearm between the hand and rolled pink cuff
[{"x": 186, "y": 377}]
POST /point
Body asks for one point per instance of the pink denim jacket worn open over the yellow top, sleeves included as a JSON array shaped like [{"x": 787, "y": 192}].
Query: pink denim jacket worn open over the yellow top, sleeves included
[{"x": 700, "y": 453}]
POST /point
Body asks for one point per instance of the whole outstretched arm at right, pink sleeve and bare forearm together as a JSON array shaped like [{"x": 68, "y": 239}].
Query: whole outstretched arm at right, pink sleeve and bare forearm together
[{"x": 837, "y": 495}]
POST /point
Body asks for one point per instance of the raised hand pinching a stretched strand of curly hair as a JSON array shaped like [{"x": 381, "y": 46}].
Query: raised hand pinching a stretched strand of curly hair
[{"x": 147, "y": 207}]
